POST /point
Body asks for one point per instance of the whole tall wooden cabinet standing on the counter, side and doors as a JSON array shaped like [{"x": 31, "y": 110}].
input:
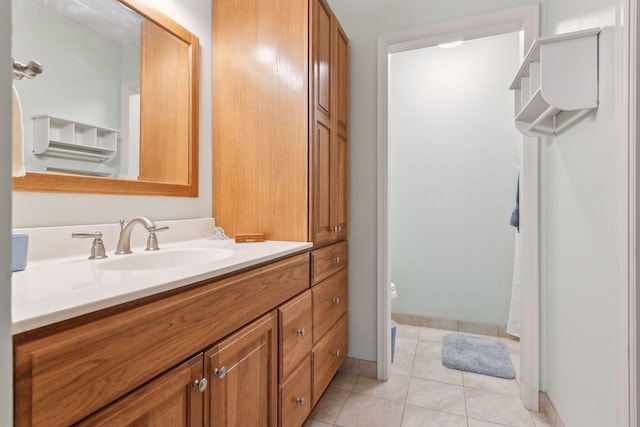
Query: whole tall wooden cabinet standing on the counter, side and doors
[{"x": 280, "y": 119}]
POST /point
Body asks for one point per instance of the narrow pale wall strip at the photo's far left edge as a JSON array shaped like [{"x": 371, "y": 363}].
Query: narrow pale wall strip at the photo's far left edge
[{"x": 6, "y": 352}]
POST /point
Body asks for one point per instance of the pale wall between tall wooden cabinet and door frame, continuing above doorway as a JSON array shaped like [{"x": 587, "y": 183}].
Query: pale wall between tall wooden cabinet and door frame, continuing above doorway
[{"x": 363, "y": 24}]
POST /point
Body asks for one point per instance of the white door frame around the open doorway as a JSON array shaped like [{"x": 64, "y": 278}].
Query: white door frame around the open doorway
[{"x": 526, "y": 19}]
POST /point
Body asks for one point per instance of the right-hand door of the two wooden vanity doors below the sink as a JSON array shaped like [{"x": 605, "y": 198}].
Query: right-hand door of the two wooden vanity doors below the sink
[{"x": 242, "y": 372}]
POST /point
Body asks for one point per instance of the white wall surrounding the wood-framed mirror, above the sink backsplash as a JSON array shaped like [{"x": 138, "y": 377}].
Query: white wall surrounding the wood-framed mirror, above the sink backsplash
[{"x": 44, "y": 209}]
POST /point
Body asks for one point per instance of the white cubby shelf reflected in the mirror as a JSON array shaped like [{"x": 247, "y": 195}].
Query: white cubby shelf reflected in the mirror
[{"x": 69, "y": 139}]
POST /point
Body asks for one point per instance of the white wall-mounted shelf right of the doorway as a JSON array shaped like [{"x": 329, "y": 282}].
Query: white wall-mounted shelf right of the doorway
[{"x": 558, "y": 75}]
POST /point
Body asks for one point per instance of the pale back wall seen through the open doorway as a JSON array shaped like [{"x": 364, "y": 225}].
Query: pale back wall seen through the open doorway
[{"x": 453, "y": 164}]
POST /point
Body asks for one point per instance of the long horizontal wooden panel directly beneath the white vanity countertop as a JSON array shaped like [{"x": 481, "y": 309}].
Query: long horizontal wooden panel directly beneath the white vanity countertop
[{"x": 64, "y": 377}]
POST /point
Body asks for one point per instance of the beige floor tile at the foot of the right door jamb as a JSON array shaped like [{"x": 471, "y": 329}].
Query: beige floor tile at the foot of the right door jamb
[{"x": 497, "y": 408}]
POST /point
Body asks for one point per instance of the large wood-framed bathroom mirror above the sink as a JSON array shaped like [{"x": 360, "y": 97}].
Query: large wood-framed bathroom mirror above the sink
[{"x": 115, "y": 110}]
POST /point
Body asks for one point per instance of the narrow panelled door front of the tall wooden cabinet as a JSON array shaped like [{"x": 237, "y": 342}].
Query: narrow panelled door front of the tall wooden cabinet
[{"x": 328, "y": 121}]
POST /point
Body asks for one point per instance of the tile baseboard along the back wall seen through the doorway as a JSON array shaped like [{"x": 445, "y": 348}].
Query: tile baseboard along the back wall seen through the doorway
[{"x": 487, "y": 329}]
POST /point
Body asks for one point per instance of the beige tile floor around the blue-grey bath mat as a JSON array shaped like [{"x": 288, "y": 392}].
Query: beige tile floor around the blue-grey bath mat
[{"x": 423, "y": 393}]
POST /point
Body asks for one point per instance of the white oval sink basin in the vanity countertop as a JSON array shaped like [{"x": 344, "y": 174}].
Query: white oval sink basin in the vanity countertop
[{"x": 164, "y": 258}]
